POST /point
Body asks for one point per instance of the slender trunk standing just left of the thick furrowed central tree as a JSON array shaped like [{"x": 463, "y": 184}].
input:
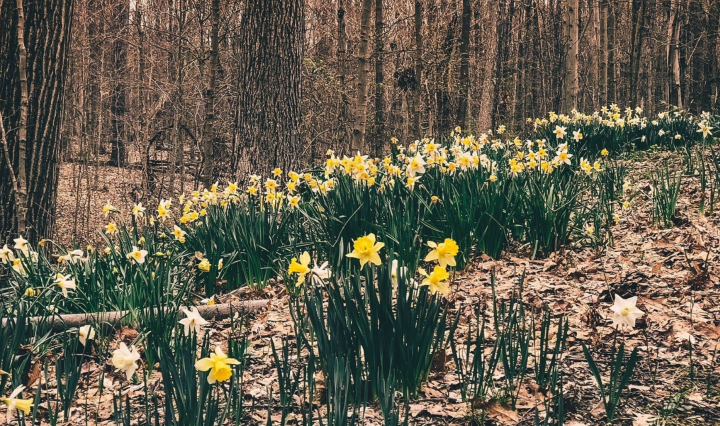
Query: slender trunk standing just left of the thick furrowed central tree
[{"x": 209, "y": 126}]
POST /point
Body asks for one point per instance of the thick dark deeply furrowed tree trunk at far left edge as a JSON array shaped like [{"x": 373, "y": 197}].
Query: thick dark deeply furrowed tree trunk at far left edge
[{"x": 45, "y": 35}]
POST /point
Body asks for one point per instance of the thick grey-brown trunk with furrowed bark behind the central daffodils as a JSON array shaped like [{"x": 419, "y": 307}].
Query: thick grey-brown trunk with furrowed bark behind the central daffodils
[{"x": 272, "y": 36}]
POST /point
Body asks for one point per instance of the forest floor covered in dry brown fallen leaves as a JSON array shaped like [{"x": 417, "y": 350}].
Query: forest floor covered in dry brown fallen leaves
[{"x": 672, "y": 271}]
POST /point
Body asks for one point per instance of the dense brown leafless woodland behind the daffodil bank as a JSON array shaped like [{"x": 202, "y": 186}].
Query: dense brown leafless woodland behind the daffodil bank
[{"x": 196, "y": 91}]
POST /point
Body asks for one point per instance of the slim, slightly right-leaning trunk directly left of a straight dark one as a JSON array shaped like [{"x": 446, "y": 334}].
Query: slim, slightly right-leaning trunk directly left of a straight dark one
[{"x": 360, "y": 121}]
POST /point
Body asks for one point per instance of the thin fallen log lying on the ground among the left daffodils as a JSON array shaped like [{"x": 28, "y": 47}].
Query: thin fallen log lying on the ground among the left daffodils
[{"x": 114, "y": 318}]
